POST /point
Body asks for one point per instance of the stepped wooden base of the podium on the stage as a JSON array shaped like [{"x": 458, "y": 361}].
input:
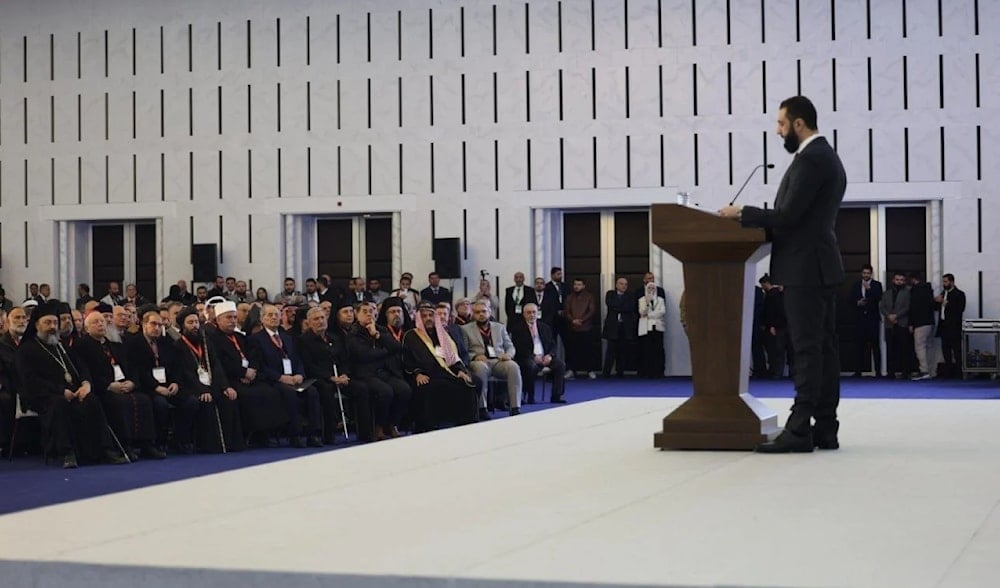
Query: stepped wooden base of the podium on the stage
[{"x": 711, "y": 422}]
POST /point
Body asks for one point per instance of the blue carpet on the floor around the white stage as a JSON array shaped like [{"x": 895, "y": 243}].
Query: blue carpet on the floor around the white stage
[{"x": 28, "y": 483}]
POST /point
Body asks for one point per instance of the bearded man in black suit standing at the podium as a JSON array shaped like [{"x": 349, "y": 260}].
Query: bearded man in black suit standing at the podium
[{"x": 805, "y": 259}]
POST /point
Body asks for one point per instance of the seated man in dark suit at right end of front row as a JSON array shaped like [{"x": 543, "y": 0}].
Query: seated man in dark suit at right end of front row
[{"x": 534, "y": 351}]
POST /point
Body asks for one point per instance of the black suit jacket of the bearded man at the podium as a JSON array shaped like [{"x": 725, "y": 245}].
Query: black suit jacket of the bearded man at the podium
[{"x": 804, "y": 249}]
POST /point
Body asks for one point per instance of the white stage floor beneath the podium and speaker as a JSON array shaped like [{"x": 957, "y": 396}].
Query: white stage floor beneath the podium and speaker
[{"x": 575, "y": 495}]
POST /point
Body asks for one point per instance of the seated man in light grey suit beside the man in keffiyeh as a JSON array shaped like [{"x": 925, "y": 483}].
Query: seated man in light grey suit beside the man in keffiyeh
[{"x": 492, "y": 353}]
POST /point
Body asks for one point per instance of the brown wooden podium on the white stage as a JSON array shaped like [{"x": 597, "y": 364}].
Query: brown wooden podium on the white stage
[{"x": 719, "y": 277}]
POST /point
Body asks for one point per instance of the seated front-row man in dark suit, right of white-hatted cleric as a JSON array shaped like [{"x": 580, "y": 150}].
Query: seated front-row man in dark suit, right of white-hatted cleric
[{"x": 281, "y": 366}]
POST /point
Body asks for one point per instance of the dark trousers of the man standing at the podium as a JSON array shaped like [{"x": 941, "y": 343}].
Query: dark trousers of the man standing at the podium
[{"x": 812, "y": 328}]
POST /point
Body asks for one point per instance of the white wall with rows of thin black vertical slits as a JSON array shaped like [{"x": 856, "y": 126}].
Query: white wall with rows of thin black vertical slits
[{"x": 634, "y": 74}]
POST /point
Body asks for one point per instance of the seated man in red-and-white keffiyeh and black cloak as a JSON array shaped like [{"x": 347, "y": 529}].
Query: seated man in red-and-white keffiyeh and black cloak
[{"x": 444, "y": 387}]
